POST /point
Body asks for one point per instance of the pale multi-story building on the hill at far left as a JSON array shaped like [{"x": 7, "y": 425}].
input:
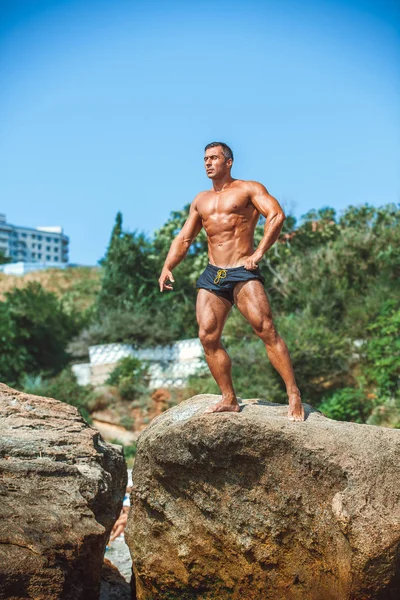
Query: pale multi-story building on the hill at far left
[{"x": 28, "y": 244}]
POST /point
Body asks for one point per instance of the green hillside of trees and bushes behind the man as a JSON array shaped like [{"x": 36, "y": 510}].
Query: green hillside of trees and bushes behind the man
[{"x": 334, "y": 285}]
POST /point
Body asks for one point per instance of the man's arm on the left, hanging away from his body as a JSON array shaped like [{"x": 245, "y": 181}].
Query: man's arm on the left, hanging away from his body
[{"x": 180, "y": 246}]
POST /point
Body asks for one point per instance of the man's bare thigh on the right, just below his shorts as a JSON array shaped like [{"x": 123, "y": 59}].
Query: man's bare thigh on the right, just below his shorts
[{"x": 252, "y": 301}]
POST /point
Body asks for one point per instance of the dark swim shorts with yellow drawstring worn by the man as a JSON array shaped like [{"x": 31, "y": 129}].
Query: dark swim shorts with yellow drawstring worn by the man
[{"x": 222, "y": 281}]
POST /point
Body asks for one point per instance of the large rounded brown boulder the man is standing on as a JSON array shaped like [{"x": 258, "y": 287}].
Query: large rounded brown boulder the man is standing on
[{"x": 250, "y": 506}]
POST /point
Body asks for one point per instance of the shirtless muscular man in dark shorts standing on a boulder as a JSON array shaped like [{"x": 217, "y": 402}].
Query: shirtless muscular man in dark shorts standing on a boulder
[{"x": 229, "y": 213}]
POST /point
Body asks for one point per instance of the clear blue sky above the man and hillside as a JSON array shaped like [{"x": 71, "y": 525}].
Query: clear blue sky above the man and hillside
[{"x": 107, "y": 106}]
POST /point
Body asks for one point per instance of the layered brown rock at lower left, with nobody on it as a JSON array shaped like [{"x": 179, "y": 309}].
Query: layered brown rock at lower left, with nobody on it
[{"x": 61, "y": 489}]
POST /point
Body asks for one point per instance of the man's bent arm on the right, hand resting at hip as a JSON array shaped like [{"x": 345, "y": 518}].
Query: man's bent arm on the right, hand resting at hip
[{"x": 270, "y": 208}]
